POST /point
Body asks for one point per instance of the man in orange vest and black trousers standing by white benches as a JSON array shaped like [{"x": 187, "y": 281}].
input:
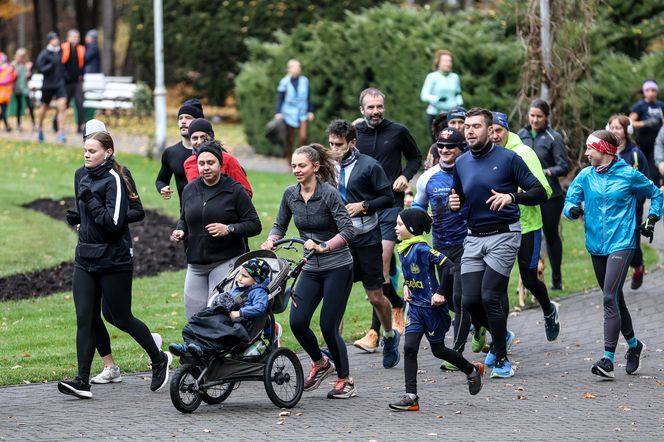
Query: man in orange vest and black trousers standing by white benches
[{"x": 73, "y": 60}]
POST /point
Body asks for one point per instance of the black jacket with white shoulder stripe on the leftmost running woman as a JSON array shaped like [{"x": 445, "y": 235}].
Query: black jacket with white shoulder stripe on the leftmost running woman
[{"x": 104, "y": 242}]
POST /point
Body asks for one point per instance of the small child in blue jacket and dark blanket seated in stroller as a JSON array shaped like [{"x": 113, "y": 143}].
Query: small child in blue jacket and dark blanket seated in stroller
[{"x": 226, "y": 320}]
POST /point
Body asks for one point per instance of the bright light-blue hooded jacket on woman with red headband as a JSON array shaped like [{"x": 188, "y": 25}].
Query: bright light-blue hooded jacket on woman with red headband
[{"x": 609, "y": 205}]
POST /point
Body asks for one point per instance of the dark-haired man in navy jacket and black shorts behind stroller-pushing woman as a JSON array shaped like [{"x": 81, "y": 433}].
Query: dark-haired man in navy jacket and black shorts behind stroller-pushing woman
[{"x": 365, "y": 189}]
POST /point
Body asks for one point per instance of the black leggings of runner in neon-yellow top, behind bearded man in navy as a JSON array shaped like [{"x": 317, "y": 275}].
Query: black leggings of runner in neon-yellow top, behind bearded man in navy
[{"x": 528, "y": 258}]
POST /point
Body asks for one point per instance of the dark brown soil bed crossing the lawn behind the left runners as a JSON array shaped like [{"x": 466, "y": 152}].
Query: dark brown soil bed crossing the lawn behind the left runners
[{"x": 153, "y": 254}]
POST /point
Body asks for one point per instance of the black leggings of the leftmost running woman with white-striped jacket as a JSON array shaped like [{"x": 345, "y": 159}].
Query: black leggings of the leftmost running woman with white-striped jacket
[{"x": 88, "y": 288}]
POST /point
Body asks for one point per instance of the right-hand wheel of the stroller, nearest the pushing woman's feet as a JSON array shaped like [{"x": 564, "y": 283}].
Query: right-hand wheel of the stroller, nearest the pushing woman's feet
[{"x": 284, "y": 379}]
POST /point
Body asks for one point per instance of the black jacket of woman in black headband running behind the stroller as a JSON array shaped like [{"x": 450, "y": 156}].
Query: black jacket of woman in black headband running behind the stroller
[{"x": 226, "y": 202}]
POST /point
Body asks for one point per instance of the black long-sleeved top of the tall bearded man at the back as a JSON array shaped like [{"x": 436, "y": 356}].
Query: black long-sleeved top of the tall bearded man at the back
[{"x": 386, "y": 143}]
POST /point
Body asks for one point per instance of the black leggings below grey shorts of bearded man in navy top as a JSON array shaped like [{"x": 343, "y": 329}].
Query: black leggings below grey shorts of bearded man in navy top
[{"x": 485, "y": 298}]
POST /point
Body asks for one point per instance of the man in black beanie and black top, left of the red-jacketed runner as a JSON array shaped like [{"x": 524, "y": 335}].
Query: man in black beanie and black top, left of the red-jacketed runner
[{"x": 173, "y": 157}]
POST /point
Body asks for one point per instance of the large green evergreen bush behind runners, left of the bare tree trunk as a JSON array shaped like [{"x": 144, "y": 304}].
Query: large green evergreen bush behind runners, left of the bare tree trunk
[{"x": 389, "y": 48}]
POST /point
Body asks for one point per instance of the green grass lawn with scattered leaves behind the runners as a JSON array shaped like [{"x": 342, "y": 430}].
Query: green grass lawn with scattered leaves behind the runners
[{"x": 38, "y": 335}]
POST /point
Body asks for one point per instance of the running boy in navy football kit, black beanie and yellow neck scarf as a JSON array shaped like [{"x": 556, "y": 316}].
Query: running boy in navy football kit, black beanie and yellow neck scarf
[{"x": 428, "y": 313}]
